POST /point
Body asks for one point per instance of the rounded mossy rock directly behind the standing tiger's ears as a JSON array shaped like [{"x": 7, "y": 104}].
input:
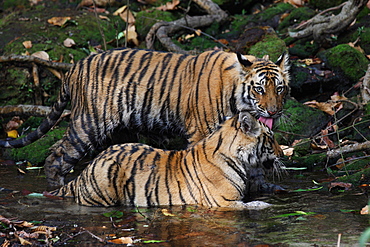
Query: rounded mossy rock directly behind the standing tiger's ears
[{"x": 271, "y": 45}]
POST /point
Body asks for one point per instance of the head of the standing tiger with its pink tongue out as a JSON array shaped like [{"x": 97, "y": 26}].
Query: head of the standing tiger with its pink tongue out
[{"x": 264, "y": 87}]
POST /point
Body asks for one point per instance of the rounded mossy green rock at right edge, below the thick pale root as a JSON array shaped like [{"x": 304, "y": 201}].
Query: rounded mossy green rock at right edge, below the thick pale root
[{"x": 346, "y": 60}]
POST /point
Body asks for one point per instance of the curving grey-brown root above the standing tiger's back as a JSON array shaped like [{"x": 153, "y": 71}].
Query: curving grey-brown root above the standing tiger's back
[{"x": 163, "y": 30}]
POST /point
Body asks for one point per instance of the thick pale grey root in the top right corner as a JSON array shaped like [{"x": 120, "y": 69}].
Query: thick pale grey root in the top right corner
[{"x": 320, "y": 26}]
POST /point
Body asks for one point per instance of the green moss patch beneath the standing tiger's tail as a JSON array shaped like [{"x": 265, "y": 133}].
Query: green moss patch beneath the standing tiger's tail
[{"x": 37, "y": 152}]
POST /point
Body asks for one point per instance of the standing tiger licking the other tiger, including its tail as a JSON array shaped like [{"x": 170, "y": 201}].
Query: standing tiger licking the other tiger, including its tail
[{"x": 138, "y": 90}]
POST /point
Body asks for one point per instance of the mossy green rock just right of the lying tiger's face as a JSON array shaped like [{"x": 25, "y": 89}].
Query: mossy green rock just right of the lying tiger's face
[{"x": 299, "y": 121}]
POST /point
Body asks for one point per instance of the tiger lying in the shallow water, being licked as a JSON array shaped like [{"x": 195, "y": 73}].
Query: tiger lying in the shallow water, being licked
[{"x": 214, "y": 172}]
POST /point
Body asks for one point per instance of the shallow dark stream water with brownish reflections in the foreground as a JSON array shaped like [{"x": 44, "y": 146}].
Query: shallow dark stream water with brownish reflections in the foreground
[{"x": 193, "y": 226}]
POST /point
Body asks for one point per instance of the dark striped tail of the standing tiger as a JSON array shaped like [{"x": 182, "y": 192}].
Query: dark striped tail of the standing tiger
[{"x": 45, "y": 126}]
